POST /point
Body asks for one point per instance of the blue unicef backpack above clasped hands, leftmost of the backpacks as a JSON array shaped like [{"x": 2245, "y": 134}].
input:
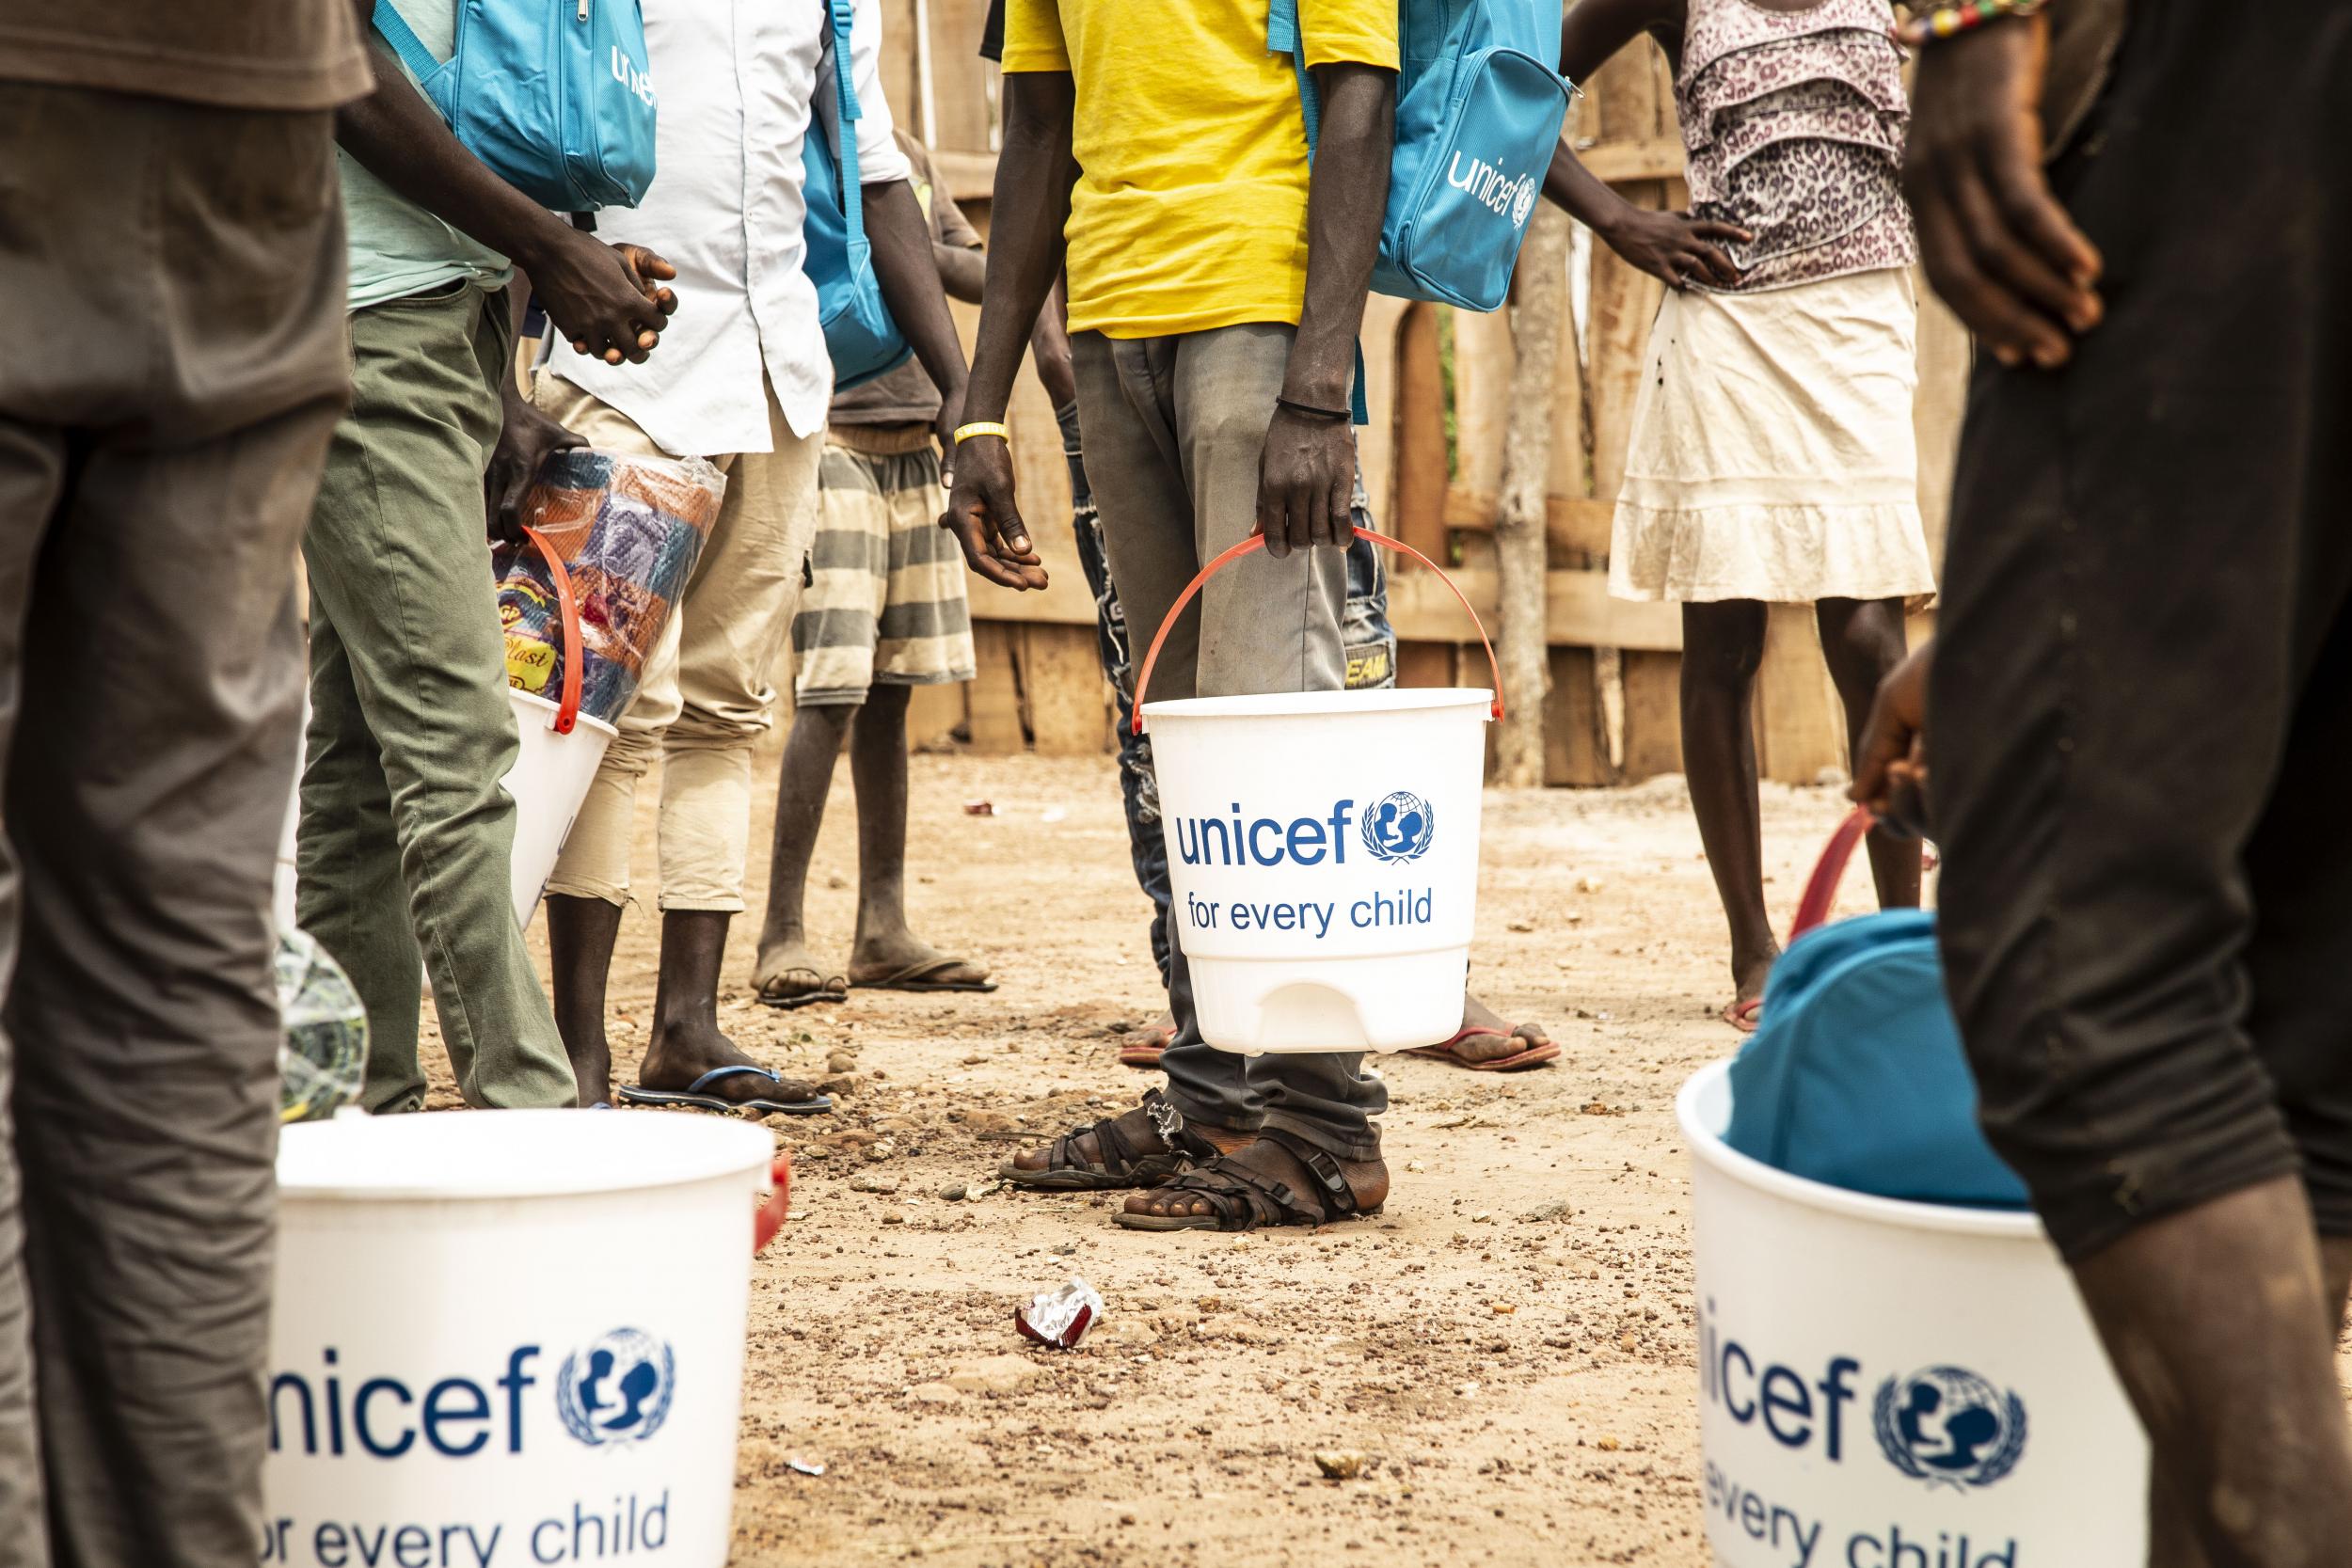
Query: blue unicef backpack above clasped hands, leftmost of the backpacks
[{"x": 554, "y": 95}]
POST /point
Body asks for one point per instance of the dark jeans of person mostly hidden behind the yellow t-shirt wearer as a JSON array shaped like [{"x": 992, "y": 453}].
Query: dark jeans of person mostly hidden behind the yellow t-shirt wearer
[{"x": 1372, "y": 662}]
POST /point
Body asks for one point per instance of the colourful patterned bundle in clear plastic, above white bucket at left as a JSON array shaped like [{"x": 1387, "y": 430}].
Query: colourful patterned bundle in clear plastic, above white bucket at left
[{"x": 629, "y": 532}]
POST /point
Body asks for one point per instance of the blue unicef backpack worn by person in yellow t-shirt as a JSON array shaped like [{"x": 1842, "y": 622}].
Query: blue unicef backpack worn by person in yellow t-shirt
[{"x": 1478, "y": 119}]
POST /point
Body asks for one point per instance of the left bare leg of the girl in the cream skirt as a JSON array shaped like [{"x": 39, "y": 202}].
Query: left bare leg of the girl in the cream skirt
[{"x": 1723, "y": 645}]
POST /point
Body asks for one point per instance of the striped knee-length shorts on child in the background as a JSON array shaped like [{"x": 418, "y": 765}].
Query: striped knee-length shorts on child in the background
[{"x": 886, "y": 598}]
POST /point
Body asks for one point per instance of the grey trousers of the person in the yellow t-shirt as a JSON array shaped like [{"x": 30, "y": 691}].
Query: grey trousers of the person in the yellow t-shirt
[{"x": 1175, "y": 434}]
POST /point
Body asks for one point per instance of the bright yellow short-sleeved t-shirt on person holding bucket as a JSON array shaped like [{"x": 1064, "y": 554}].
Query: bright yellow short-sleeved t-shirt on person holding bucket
[{"x": 1191, "y": 203}]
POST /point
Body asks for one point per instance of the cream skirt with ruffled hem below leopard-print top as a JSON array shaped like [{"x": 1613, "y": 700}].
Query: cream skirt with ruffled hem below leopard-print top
[{"x": 1772, "y": 448}]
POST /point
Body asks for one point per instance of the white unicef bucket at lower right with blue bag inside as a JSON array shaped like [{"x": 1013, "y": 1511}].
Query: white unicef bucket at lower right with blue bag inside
[{"x": 1895, "y": 1386}]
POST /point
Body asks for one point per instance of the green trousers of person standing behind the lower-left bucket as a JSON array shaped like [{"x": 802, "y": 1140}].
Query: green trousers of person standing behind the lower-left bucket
[{"x": 406, "y": 833}]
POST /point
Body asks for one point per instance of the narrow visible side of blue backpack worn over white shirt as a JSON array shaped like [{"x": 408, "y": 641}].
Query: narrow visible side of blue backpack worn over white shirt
[{"x": 860, "y": 330}]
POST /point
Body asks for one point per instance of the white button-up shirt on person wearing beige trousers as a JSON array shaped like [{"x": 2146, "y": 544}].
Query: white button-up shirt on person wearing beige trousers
[{"x": 737, "y": 81}]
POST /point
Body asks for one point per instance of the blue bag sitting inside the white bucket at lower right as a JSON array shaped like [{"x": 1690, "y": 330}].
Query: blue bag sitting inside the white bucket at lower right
[{"x": 1855, "y": 1076}]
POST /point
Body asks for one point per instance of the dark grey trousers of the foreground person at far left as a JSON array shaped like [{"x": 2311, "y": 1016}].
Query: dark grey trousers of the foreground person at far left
[{"x": 166, "y": 408}]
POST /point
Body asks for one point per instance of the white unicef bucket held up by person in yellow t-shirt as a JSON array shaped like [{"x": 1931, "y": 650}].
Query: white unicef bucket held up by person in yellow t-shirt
[{"x": 1323, "y": 857}]
